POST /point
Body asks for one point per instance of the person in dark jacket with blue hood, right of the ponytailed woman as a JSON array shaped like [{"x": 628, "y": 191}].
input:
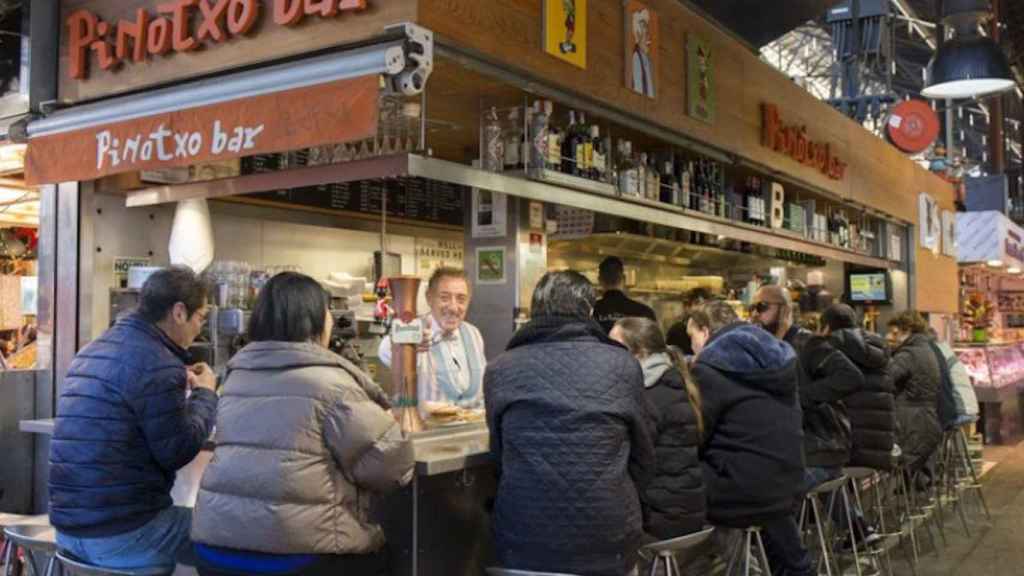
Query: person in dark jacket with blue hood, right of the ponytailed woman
[{"x": 752, "y": 452}]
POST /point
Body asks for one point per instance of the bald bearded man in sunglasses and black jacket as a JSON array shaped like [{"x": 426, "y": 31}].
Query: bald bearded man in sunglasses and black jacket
[{"x": 826, "y": 379}]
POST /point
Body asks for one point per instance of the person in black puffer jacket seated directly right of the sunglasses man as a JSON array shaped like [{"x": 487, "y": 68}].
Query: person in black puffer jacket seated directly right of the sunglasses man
[{"x": 872, "y": 409}]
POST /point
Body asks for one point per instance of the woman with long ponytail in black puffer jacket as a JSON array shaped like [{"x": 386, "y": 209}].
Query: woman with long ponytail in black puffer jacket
[{"x": 674, "y": 502}]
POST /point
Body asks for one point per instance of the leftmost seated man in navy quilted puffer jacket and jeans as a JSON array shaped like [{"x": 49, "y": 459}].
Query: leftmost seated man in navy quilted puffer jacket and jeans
[{"x": 124, "y": 427}]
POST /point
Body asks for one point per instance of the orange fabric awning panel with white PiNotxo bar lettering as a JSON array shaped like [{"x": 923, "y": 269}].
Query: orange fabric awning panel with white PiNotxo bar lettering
[{"x": 334, "y": 112}]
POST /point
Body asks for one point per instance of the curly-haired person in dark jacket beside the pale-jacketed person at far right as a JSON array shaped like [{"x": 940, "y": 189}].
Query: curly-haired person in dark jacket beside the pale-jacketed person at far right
[{"x": 917, "y": 376}]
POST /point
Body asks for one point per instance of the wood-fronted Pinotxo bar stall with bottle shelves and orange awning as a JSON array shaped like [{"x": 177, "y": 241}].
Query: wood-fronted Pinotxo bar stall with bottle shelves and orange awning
[{"x": 395, "y": 152}]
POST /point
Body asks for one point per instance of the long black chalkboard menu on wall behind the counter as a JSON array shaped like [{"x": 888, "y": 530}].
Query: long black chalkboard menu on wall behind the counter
[{"x": 414, "y": 199}]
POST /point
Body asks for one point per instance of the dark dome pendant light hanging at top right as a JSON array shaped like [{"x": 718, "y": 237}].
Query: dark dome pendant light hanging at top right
[{"x": 970, "y": 65}]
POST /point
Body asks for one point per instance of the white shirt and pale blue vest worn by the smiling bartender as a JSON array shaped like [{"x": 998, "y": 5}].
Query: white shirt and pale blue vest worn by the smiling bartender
[{"x": 452, "y": 372}]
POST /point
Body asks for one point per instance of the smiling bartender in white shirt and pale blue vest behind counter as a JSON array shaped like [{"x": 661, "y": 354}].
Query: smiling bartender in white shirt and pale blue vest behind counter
[{"x": 450, "y": 364}]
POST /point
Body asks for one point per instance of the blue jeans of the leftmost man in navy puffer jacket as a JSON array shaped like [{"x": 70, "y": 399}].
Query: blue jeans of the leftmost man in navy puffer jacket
[{"x": 161, "y": 543}]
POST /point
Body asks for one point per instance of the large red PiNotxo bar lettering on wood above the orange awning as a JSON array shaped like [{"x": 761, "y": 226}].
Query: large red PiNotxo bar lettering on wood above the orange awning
[{"x": 182, "y": 26}]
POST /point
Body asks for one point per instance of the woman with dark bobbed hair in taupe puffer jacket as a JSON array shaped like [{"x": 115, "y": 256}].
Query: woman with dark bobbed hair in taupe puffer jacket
[{"x": 303, "y": 437}]
